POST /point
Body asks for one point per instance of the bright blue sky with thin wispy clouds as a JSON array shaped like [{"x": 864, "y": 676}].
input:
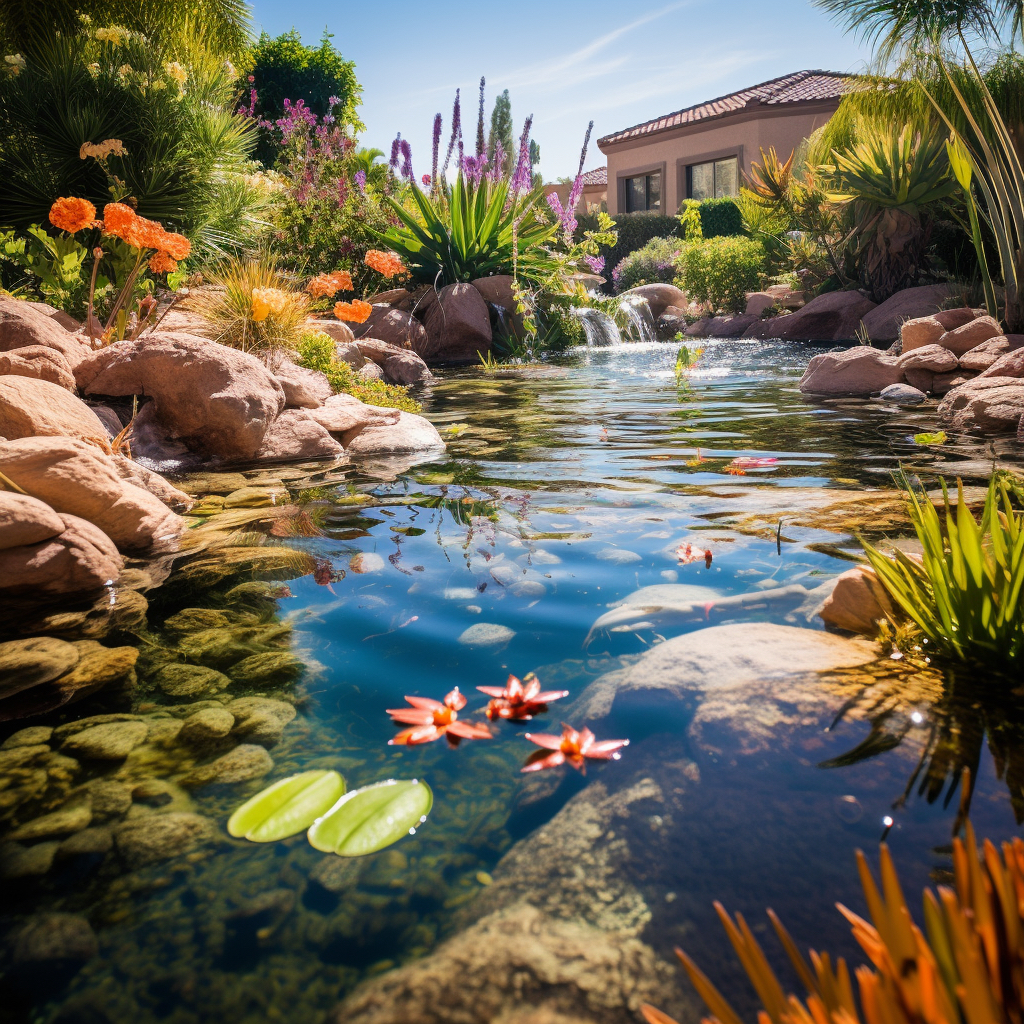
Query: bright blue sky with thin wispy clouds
[{"x": 615, "y": 62}]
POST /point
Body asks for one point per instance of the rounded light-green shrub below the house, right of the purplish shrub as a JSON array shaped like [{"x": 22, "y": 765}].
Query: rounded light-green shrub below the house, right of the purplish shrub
[{"x": 720, "y": 272}]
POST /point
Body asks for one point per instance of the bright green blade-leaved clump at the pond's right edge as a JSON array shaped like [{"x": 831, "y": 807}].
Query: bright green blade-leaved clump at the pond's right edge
[{"x": 965, "y": 595}]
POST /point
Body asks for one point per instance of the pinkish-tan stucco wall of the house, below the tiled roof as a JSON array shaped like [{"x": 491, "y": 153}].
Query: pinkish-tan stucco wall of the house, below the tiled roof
[{"x": 743, "y": 136}]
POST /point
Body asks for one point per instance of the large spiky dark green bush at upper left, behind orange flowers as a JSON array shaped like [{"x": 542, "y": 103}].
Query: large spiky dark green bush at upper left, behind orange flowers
[{"x": 183, "y": 142}]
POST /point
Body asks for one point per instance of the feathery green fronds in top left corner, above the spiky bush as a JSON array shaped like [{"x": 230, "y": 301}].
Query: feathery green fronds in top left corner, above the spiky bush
[{"x": 224, "y": 26}]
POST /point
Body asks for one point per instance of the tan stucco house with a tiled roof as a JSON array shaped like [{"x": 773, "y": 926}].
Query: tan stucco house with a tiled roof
[{"x": 704, "y": 151}]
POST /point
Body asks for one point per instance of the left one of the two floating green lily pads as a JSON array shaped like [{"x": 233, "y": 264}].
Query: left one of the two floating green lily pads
[{"x": 287, "y": 807}]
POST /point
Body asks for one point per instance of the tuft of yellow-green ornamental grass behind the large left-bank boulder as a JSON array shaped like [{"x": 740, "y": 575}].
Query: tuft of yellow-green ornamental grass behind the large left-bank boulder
[{"x": 252, "y": 307}]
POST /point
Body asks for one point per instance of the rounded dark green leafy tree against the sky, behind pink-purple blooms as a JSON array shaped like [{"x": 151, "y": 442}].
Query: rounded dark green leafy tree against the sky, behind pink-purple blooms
[{"x": 285, "y": 69}]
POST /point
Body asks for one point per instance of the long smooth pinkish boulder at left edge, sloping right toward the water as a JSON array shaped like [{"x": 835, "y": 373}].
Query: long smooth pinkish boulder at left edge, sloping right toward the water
[{"x": 78, "y": 479}]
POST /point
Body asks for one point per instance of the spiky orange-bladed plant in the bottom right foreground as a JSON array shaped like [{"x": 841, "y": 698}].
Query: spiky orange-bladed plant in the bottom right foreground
[{"x": 966, "y": 965}]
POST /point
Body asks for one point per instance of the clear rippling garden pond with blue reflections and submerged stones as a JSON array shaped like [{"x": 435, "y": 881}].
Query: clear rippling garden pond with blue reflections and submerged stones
[{"x": 567, "y": 488}]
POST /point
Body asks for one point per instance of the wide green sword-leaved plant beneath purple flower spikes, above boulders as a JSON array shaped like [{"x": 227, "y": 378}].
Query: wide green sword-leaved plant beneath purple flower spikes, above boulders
[{"x": 471, "y": 233}]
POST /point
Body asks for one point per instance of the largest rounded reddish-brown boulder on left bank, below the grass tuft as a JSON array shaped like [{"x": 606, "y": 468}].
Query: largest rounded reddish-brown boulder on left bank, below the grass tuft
[{"x": 215, "y": 399}]
